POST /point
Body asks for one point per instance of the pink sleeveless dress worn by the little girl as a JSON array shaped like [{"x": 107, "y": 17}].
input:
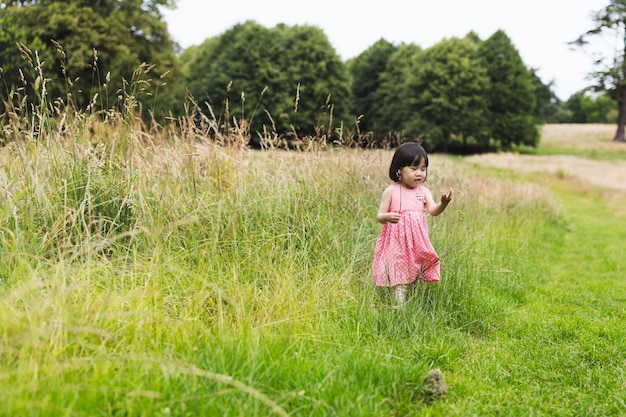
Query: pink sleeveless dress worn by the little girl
[{"x": 403, "y": 250}]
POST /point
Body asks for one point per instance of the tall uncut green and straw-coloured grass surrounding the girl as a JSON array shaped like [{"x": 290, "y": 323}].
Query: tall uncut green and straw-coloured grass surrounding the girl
[{"x": 171, "y": 270}]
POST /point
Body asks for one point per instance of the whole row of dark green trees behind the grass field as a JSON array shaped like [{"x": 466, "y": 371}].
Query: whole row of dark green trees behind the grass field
[{"x": 462, "y": 94}]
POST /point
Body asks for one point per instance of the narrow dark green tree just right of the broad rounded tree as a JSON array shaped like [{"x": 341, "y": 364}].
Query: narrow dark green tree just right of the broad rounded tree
[{"x": 366, "y": 71}]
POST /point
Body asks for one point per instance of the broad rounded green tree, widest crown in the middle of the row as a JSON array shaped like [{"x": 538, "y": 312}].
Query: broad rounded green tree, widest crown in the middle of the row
[{"x": 298, "y": 84}]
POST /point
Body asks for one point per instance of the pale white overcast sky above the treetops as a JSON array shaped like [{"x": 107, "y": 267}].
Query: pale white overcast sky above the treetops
[{"x": 539, "y": 29}]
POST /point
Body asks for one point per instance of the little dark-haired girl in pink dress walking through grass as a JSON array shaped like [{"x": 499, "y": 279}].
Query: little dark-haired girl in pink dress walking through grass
[{"x": 403, "y": 249}]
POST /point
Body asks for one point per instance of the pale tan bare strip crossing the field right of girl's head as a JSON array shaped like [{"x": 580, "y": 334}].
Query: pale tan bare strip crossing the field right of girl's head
[{"x": 610, "y": 175}]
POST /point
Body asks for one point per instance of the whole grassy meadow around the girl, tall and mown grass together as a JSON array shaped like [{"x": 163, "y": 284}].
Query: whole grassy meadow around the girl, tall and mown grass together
[{"x": 163, "y": 273}]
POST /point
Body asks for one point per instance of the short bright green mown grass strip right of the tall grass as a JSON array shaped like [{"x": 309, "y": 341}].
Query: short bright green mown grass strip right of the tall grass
[{"x": 563, "y": 351}]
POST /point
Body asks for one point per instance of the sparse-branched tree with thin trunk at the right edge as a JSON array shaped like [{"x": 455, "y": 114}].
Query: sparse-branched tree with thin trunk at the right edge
[{"x": 610, "y": 72}]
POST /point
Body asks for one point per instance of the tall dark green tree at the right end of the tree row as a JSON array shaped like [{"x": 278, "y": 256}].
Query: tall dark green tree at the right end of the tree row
[{"x": 511, "y": 93}]
